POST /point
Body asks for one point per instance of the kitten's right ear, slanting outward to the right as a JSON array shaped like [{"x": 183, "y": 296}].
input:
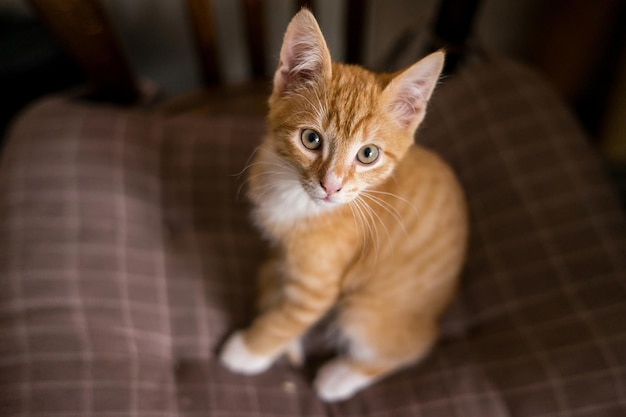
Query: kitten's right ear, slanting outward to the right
[{"x": 407, "y": 95}]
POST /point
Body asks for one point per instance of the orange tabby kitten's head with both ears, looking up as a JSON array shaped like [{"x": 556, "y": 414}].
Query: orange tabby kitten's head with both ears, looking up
[{"x": 340, "y": 127}]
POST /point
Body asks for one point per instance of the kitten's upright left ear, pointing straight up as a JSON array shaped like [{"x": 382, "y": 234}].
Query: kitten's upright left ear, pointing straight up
[{"x": 304, "y": 56}]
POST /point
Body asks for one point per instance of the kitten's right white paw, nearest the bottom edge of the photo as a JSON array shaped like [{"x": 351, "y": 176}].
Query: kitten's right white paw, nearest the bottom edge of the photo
[{"x": 337, "y": 381}]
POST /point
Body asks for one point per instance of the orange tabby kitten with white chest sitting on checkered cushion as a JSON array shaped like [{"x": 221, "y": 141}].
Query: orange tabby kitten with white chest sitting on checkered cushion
[{"x": 360, "y": 218}]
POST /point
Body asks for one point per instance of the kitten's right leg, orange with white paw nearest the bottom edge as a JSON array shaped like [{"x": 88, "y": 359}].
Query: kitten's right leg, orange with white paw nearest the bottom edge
[{"x": 376, "y": 347}]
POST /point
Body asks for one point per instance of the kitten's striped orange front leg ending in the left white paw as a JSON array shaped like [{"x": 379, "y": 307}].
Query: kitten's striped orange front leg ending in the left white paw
[{"x": 309, "y": 289}]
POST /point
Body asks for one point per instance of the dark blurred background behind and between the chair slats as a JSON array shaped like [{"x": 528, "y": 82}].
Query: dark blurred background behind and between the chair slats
[{"x": 577, "y": 45}]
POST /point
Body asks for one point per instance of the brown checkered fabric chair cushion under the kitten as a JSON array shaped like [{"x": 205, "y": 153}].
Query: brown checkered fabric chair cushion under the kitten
[{"x": 127, "y": 256}]
